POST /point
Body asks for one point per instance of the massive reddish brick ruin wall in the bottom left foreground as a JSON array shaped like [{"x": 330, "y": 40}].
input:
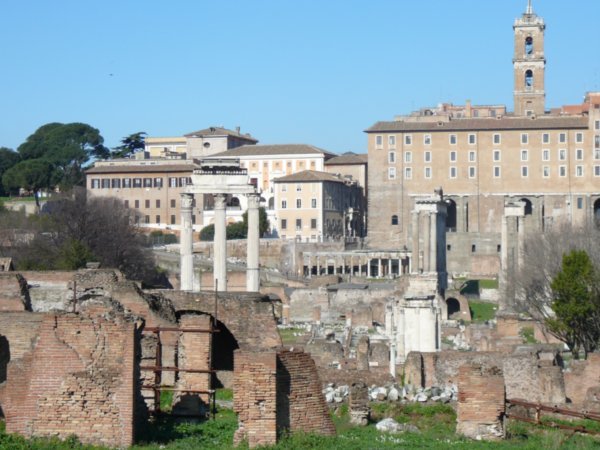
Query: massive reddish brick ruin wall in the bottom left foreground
[{"x": 80, "y": 378}]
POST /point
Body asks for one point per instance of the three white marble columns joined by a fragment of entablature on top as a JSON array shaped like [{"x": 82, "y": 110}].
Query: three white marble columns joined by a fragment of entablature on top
[{"x": 219, "y": 178}]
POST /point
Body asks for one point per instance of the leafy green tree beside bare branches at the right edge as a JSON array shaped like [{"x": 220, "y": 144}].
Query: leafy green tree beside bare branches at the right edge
[{"x": 576, "y": 304}]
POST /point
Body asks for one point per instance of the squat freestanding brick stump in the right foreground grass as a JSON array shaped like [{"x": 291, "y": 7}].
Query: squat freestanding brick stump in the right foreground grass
[{"x": 481, "y": 402}]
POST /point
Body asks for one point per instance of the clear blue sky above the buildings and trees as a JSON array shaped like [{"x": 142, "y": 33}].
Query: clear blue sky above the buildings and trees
[{"x": 286, "y": 71}]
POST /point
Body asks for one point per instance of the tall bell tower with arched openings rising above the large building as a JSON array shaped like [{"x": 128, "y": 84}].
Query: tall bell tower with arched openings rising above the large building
[{"x": 529, "y": 64}]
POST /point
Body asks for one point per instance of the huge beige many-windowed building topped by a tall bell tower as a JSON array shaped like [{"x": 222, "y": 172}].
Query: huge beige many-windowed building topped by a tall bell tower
[{"x": 484, "y": 157}]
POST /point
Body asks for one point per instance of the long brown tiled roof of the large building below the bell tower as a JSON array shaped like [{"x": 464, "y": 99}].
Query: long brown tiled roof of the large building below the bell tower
[{"x": 503, "y": 123}]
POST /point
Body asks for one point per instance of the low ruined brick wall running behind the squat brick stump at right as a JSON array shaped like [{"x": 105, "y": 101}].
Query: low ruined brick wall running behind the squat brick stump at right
[{"x": 526, "y": 375}]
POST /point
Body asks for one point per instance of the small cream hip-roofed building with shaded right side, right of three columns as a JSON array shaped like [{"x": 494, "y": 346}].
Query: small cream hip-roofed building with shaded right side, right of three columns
[{"x": 316, "y": 206}]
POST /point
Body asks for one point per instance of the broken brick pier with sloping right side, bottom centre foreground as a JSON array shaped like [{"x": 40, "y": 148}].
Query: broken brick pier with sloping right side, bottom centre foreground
[{"x": 275, "y": 392}]
